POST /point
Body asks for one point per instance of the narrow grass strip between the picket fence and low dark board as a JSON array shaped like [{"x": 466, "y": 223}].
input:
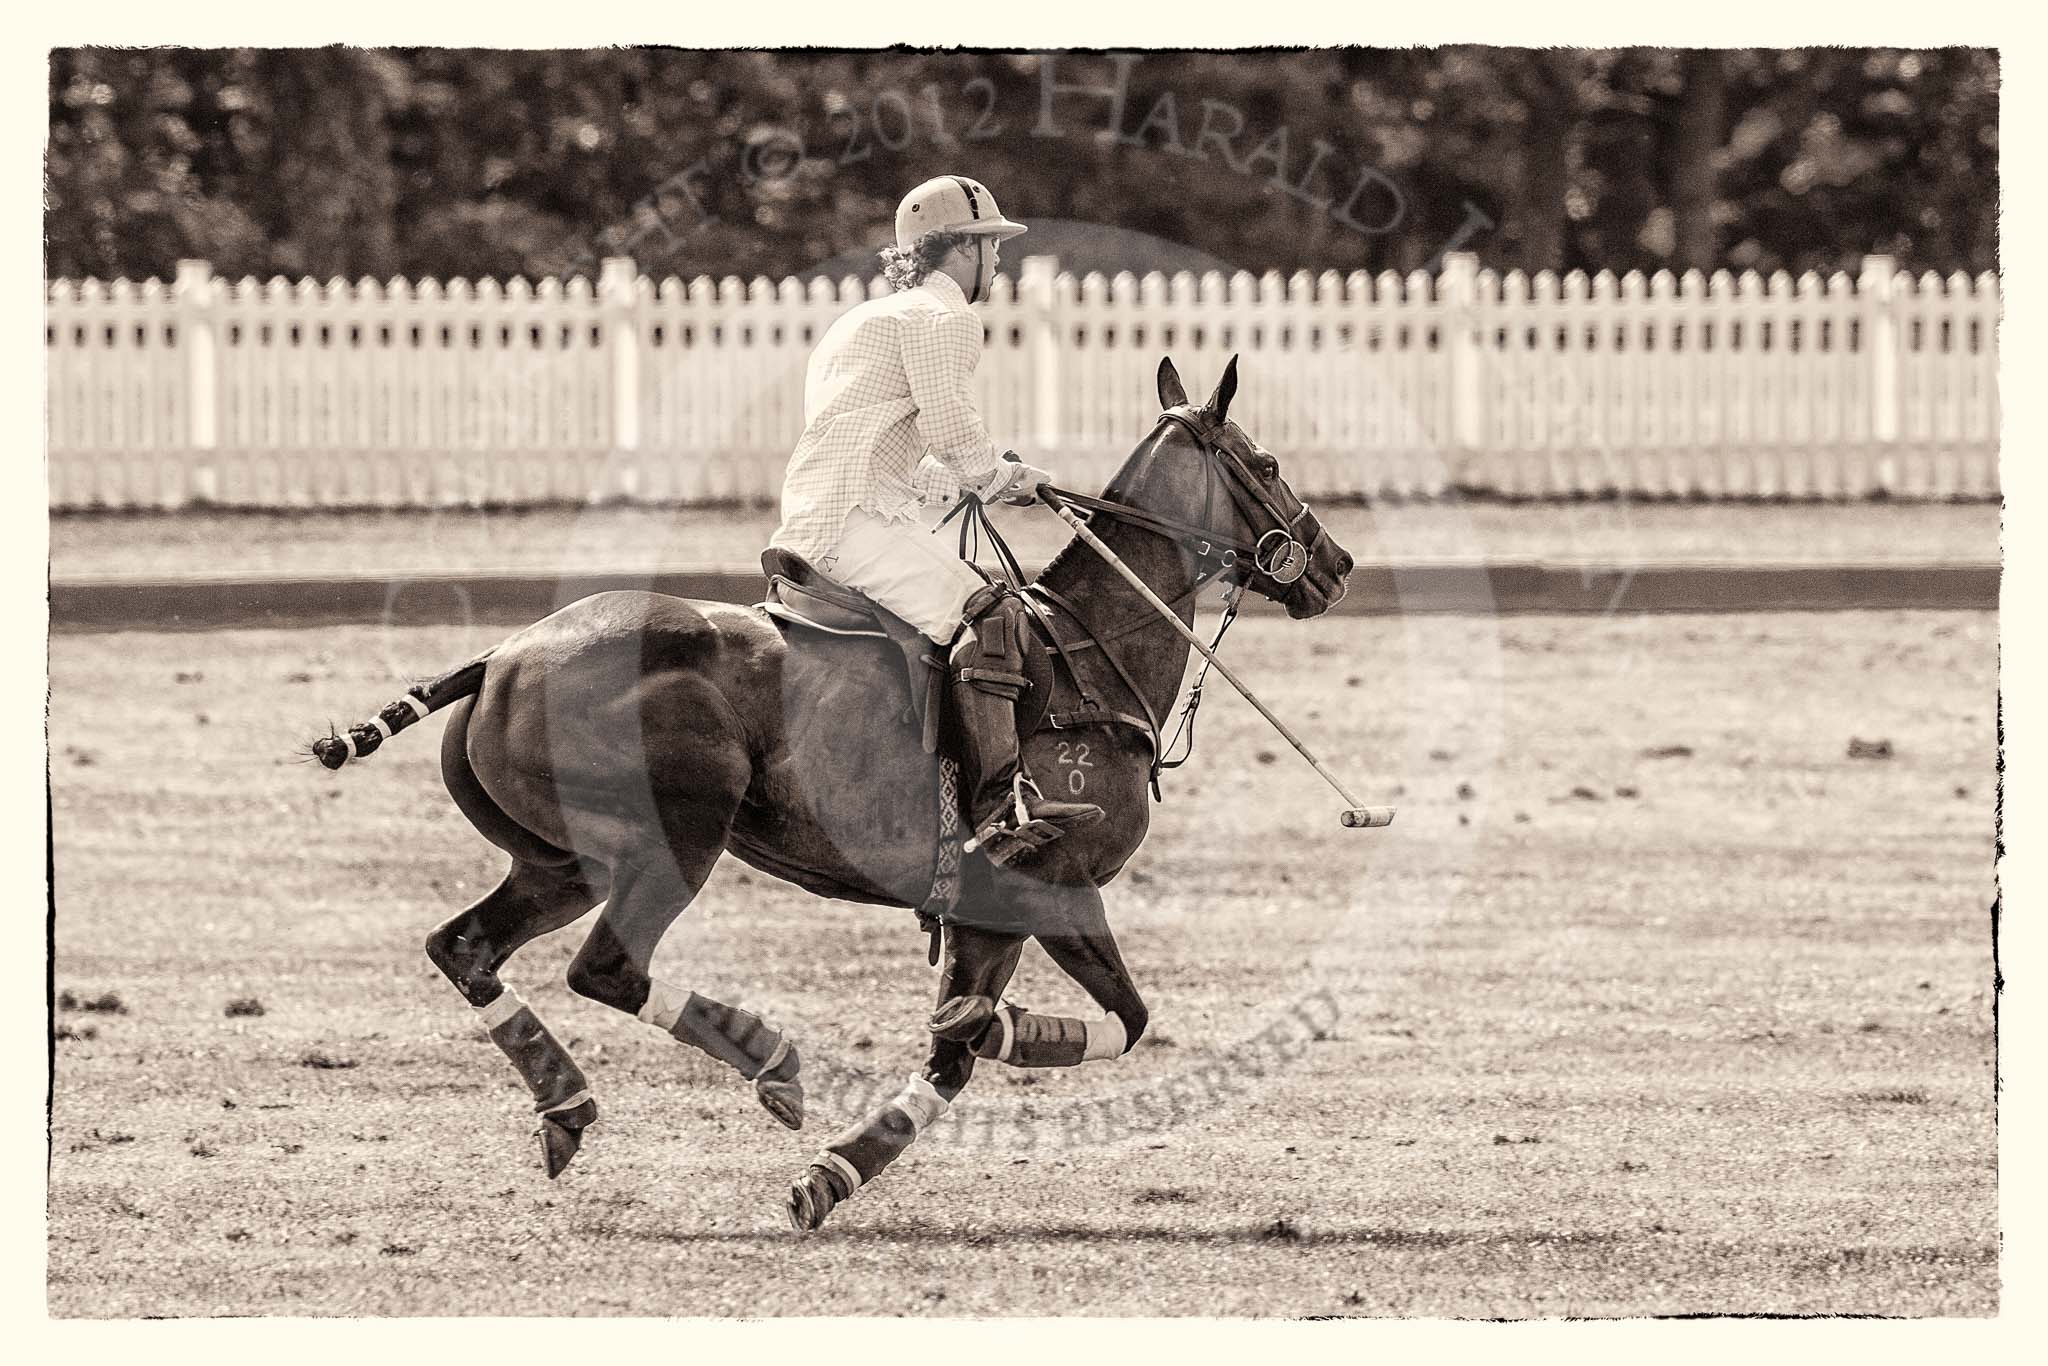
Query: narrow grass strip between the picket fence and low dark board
[{"x": 630, "y": 540}]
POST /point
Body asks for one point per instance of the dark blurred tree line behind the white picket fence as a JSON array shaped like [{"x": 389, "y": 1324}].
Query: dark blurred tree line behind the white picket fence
[{"x": 439, "y": 163}]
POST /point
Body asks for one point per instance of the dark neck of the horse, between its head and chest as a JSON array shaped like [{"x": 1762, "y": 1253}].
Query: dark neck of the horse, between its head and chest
[{"x": 1154, "y": 654}]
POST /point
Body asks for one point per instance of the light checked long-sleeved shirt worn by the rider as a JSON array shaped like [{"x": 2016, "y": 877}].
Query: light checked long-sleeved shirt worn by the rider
[{"x": 890, "y": 417}]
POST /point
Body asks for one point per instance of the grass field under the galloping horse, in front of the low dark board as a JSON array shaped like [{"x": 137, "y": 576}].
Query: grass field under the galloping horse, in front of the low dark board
[{"x": 1654, "y": 1000}]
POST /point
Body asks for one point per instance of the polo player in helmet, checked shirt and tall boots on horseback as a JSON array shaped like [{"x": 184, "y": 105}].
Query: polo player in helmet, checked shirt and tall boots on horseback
[{"x": 892, "y": 431}]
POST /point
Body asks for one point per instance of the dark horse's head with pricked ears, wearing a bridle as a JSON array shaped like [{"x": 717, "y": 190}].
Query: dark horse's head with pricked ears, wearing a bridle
[{"x": 1283, "y": 550}]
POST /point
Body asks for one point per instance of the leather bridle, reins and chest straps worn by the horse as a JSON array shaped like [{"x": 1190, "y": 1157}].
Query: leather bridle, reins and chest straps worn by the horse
[{"x": 1275, "y": 558}]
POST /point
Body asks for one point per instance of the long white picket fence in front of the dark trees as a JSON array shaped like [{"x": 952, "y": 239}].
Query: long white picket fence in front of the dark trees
[{"x": 337, "y": 396}]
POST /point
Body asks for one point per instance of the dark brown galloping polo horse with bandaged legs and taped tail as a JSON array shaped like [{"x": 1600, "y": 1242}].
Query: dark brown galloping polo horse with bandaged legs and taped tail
[{"x": 617, "y": 749}]
